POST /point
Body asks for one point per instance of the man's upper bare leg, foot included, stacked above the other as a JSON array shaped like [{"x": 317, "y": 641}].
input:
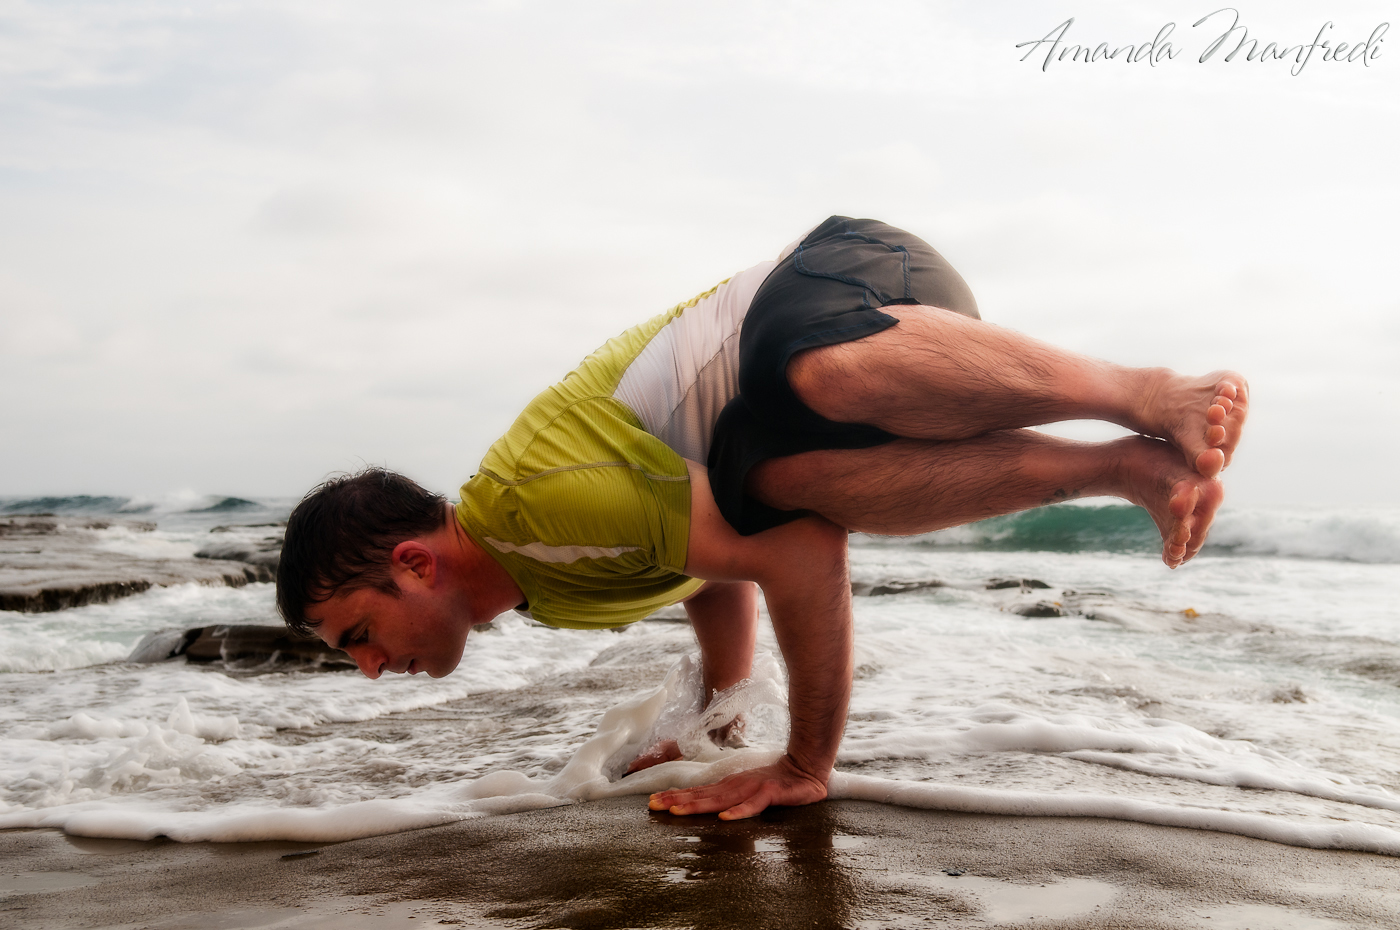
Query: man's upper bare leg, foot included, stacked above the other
[{"x": 943, "y": 376}]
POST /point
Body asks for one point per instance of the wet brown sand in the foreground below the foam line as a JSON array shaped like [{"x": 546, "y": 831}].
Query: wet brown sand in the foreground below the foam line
[{"x": 615, "y": 865}]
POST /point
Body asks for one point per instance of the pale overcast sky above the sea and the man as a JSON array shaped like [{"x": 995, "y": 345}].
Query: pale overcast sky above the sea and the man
[{"x": 248, "y": 244}]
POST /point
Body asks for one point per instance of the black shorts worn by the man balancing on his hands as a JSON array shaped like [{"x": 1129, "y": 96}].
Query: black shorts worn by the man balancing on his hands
[{"x": 829, "y": 291}]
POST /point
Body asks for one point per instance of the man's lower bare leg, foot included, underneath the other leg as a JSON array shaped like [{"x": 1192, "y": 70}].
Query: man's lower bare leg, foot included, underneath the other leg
[{"x": 912, "y": 487}]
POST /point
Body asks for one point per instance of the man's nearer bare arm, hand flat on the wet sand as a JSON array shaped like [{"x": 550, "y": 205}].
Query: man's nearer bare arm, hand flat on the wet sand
[{"x": 803, "y": 571}]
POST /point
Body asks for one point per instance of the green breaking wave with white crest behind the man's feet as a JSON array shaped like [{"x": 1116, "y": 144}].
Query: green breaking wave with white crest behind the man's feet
[{"x": 1373, "y": 537}]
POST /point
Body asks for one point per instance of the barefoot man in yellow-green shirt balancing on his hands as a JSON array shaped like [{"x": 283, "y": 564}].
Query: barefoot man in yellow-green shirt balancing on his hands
[{"x": 849, "y": 386}]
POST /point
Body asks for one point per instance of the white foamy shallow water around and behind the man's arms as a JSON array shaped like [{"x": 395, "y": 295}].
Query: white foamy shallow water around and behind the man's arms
[{"x": 1254, "y": 694}]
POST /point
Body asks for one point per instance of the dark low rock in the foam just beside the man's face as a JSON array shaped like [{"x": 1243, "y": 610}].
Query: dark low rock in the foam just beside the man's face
[{"x": 239, "y": 645}]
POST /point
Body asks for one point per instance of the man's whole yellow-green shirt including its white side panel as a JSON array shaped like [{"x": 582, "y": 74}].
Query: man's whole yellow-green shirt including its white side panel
[{"x": 586, "y": 502}]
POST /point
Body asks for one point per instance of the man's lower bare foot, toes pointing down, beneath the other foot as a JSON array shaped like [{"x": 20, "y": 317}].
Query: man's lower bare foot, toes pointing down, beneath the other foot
[{"x": 1181, "y": 501}]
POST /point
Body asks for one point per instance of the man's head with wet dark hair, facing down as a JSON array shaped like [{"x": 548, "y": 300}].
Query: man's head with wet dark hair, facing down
[{"x": 351, "y": 547}]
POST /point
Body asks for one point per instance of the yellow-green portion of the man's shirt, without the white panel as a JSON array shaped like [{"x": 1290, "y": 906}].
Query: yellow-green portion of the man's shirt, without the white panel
[{"x": 587, "y": 512}]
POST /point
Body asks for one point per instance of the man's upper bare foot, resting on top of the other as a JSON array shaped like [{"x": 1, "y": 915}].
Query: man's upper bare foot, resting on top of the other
[{"x": 1202, "y": 417}]
